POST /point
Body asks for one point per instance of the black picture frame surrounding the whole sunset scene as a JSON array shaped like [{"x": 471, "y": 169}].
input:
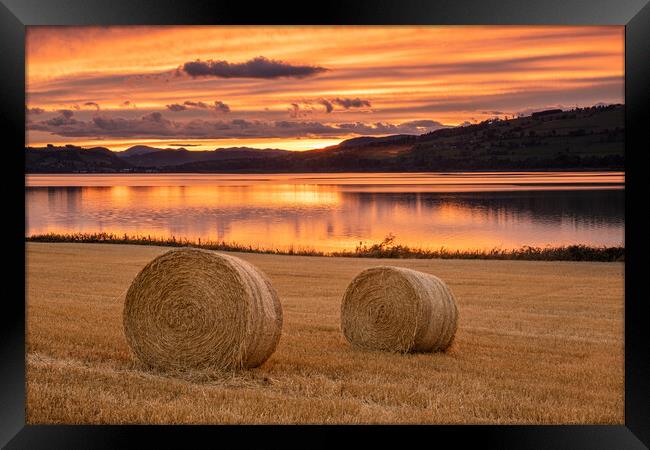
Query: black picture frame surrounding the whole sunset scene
[{"x": 16, "y": 14}]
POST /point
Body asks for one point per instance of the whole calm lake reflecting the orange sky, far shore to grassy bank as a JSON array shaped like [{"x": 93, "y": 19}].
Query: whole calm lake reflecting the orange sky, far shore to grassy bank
[{"x": 337, "y": 211}]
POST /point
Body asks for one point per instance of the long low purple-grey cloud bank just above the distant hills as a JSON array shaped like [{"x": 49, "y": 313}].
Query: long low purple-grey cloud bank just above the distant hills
[{"x": 155, "y": 125}]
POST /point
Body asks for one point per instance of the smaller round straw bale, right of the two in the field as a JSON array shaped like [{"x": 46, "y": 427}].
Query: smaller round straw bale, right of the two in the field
[{"x": 398, "y": 310}]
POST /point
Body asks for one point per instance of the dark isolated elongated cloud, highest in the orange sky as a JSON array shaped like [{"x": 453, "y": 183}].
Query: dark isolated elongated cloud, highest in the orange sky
[{"x": 259, "y": 67}]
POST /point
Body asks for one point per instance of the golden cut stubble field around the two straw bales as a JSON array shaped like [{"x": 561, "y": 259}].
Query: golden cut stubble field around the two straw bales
[{"x": 538, "y": 342}]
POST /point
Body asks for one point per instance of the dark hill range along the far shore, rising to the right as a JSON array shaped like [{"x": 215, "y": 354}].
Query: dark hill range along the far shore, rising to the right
[{"x": 582, "y": 139}]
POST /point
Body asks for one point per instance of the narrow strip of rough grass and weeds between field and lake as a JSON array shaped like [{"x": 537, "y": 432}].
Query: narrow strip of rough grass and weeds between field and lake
[{"x": 388, "y": 248}]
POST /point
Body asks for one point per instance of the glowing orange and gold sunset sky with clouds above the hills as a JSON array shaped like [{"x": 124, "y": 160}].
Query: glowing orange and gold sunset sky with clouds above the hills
[{"x": 300, "y": 88}]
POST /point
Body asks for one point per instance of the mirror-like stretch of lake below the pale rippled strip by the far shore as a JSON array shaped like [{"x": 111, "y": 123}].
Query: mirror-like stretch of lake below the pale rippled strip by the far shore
[{"x": 329, "y": 216}]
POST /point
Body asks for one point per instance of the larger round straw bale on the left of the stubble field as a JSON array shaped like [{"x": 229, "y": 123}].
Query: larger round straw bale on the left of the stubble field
[{"x": 193, "y": 309}]
